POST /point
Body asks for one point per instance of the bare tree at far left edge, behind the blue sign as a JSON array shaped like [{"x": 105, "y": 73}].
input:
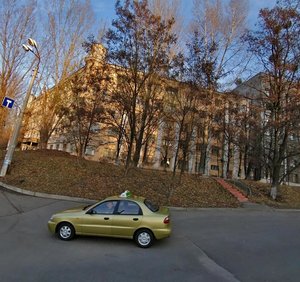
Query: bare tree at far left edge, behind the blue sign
[{"x": 16, "y": 26}]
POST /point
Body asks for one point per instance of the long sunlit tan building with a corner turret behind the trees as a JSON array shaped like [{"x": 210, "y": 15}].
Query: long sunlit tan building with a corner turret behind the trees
[{"x": 197, "y": 144}]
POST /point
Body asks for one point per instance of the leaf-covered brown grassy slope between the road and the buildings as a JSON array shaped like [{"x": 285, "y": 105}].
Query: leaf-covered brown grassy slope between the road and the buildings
[{"x": 56, "y": 172}]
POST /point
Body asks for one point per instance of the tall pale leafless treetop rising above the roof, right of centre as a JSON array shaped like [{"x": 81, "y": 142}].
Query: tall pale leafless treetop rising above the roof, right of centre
[{"x": 219, "y": 28}]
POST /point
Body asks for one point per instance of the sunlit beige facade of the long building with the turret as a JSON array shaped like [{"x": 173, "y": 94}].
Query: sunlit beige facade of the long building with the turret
[{"x": 159, "y": 151}]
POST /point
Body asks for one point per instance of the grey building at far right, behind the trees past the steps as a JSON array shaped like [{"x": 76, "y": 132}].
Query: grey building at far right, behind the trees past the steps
[{"x": 257, "y": 90}]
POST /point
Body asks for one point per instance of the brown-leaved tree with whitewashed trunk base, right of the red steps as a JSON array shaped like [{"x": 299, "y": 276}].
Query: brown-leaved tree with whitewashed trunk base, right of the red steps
[{"x": 276, "y": 47}]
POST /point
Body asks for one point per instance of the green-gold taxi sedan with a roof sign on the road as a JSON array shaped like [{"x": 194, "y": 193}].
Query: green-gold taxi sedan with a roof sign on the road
[{"x": 123, "y": 216}]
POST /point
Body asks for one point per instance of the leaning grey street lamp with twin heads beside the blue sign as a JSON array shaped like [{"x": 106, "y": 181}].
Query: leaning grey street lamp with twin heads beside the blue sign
[{"x": 31, "y": 47}]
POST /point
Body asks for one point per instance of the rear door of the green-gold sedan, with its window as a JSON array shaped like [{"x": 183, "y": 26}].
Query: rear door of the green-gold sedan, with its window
[{"x": 127, "y": 219}]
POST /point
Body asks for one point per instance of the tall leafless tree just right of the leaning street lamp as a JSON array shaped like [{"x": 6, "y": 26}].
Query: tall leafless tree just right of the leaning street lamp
[{"x": 65, "y": 25}]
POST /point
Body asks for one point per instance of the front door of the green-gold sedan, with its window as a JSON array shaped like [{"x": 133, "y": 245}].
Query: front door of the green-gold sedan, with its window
[{"x": 98, "y": 220}]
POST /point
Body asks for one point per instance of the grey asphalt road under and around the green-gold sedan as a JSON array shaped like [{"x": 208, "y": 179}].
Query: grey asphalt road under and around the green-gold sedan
[{"x": 250, "y": 244}]
